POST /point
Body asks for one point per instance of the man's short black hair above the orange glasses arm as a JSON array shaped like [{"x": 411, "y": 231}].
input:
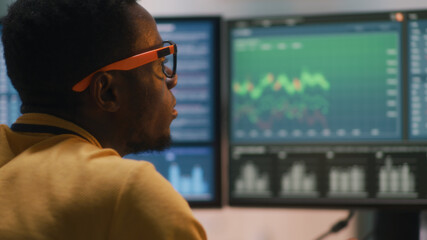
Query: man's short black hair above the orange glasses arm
[{"x": 49, "y": 45}]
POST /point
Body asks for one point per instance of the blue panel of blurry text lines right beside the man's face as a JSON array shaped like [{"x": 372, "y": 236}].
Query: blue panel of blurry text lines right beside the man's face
[{"x": 195, "y": 89}]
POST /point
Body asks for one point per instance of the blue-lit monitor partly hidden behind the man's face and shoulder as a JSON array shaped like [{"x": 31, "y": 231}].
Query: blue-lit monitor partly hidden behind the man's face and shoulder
[{"x": 192, "y": 164}]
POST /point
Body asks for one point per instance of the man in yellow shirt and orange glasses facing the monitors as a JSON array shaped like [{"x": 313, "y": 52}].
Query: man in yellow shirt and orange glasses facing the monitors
[{"x": 94, "y": 87}]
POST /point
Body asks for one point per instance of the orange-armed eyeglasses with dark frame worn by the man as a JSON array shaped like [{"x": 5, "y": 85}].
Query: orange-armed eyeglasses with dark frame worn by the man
[{"x": 169, "y": 49}]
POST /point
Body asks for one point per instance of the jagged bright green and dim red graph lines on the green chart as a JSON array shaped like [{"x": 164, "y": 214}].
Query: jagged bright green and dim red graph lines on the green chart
[{"x": 283, "y": 97}]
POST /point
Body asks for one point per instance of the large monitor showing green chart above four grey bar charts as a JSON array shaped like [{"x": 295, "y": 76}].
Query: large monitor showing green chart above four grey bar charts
[{"x": 324, "y": 113}]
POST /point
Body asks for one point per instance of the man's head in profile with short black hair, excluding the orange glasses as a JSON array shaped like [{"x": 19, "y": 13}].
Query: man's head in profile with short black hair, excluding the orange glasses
[{"x": 52, "y": 45}]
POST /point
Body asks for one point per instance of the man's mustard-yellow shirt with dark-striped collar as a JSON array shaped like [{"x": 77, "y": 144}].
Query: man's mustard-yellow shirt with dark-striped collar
[{"x": 68, "y": 187}]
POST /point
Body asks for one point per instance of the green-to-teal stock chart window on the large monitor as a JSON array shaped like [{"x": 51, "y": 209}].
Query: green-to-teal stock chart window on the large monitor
[{"x": 324, "y": 87}]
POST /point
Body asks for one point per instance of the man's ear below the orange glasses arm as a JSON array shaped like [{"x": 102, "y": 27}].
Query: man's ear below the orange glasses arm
[{"x": 104, "y": 91}]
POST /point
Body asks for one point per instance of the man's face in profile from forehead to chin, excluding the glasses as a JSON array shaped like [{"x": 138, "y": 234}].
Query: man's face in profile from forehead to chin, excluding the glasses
[{"x": 150, "y": 103}]
